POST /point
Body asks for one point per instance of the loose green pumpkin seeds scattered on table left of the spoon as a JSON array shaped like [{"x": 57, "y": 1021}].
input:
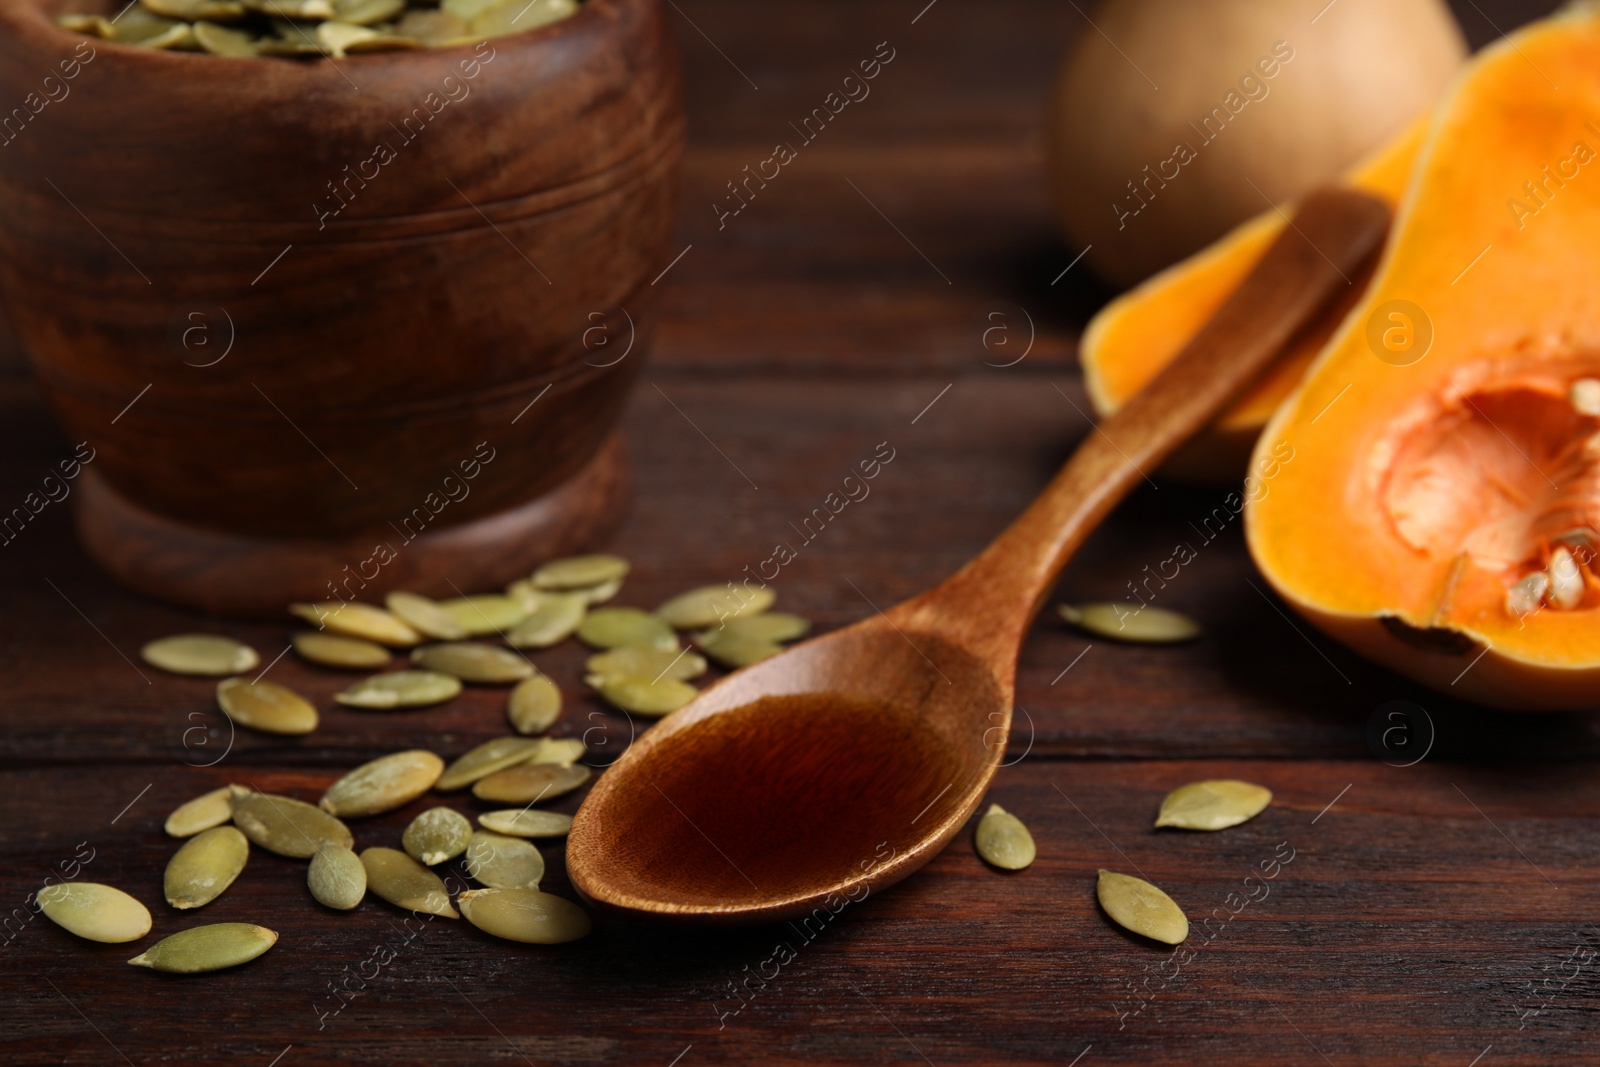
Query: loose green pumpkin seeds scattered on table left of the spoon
[{"x": 639, "y": 665}]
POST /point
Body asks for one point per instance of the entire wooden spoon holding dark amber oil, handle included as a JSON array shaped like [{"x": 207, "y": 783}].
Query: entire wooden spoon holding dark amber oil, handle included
[{"x": 802, "y": 783}]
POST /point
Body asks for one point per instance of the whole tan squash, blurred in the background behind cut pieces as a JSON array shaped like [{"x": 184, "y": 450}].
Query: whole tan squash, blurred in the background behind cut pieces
[{"x": 1177, "y": 121}]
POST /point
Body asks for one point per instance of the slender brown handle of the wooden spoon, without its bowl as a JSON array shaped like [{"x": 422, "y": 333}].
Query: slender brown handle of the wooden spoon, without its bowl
[{"x": 991, "y": 602}]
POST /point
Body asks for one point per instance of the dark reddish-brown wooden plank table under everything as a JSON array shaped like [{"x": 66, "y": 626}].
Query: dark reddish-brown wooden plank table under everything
[{"x": 1430, "y": 914}]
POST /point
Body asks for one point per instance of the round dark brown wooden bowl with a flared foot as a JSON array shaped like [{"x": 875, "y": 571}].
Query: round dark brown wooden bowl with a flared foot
[{"x": 306, "y": 310}]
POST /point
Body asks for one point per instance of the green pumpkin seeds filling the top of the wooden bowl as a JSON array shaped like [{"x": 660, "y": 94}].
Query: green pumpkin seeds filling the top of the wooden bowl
[{"x": 316, "y": 28}]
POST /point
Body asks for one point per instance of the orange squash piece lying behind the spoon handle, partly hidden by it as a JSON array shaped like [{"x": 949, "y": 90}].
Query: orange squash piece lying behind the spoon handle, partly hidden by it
[{"x": 1140, "y": 332}]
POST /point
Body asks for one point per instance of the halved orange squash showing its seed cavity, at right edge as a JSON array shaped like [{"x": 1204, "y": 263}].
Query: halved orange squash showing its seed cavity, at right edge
[{"x": 1442, "y": 516}]
